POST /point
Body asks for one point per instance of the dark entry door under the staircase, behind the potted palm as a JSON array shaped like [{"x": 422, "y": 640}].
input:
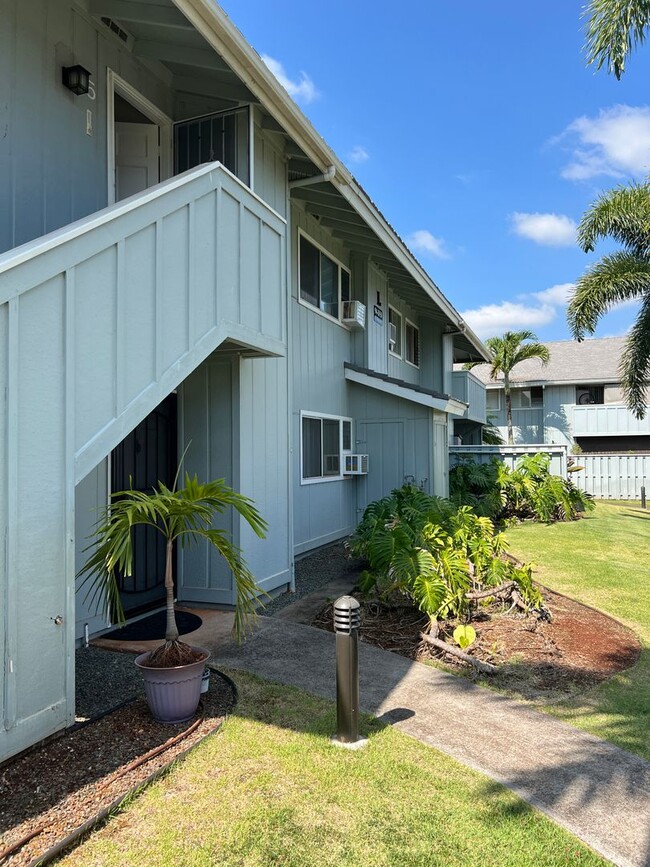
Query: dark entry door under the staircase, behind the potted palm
[{"x": 147, "y": 455}]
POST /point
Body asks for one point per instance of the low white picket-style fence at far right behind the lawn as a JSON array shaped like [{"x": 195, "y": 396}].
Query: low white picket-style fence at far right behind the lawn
[{"x": 613, "y": 477}]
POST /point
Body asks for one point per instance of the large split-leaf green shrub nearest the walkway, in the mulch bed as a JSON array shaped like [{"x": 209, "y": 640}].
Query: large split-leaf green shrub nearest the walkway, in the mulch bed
[{"x": 434, "y": 553}]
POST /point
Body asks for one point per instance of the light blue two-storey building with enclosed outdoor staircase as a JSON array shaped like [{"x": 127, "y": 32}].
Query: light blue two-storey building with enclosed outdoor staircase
[{"x": 185, "y": 260}]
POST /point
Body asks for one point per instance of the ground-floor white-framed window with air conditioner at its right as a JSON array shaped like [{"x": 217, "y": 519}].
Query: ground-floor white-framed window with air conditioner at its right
[{"x": 324, "y": 441}]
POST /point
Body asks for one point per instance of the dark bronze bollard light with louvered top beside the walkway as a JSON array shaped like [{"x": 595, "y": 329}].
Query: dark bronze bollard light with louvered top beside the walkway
[{"x": 347, "y": 620}]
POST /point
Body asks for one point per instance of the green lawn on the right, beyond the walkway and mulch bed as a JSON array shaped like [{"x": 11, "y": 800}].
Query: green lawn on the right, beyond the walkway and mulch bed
[{"x": 602, "y": 560}]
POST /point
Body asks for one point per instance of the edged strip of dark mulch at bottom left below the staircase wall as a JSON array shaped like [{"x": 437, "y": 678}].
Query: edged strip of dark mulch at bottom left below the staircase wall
[{"x": 57, "y": 786}]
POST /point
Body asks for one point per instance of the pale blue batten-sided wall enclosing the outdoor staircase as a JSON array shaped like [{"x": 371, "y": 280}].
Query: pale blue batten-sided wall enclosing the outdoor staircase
[{"x": 83, "y": 366}]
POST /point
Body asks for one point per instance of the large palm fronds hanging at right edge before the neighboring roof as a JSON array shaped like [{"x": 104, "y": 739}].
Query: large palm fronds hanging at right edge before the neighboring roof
[{"x": 624, "y": 215}]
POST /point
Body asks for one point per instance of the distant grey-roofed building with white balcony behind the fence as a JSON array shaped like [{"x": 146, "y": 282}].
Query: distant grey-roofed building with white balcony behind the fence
[{"x": 574, "y": 399}]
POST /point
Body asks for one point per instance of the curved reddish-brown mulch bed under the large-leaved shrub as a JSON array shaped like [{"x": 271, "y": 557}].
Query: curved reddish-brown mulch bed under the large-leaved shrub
[{"x": 536, "y": 658}]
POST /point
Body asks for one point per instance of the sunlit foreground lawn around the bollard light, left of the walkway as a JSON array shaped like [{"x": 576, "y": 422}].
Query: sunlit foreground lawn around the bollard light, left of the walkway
[{"x": 270, "y": 789}]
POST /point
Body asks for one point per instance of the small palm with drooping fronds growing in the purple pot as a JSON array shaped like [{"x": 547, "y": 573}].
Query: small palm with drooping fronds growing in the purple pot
[{"x": 184, "y": 515}]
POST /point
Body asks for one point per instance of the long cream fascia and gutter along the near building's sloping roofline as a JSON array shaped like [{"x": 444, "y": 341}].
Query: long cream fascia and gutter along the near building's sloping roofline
[{"x": 218, "y": 30}]
